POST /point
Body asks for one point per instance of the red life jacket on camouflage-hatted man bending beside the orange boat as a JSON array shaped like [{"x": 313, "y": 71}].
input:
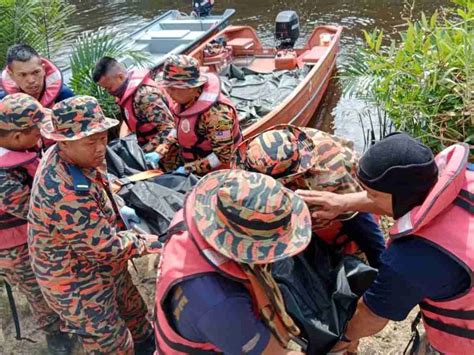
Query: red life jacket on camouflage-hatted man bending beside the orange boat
[{"x": 193, "y": 146}]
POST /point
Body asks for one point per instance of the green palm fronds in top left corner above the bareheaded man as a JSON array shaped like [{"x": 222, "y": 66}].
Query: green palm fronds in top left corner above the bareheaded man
[{"x": 39, "y": 23}]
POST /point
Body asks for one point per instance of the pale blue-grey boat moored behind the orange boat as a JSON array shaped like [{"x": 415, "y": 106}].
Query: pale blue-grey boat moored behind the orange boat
[{"x": 173, "y": 33}]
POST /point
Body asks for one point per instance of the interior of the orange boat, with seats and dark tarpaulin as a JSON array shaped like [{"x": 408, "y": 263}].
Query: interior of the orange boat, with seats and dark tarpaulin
[{"x": 259, "y": 78}]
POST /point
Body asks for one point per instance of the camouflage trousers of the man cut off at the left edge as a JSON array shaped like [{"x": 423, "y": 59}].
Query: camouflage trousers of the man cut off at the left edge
[{"x": 15, "y": 267}]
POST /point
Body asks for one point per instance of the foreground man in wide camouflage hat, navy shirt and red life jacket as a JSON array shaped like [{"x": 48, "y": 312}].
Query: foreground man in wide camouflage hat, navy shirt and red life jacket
[{"x": 213, "y": 276}]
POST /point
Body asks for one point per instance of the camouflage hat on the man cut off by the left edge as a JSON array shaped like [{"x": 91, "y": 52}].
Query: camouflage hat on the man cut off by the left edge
[{"x": 20, "y": 111}]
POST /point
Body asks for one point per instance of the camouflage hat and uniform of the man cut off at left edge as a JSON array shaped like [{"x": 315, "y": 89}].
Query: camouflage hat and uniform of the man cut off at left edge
[{"x": 20, "y": 111}]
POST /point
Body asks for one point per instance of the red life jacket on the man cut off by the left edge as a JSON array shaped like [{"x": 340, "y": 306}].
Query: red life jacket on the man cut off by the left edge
[{"x": 13, "y": 230}]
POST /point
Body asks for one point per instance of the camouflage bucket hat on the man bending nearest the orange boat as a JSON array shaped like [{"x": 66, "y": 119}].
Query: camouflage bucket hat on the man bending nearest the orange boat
[{"x": 181, "y": 71}]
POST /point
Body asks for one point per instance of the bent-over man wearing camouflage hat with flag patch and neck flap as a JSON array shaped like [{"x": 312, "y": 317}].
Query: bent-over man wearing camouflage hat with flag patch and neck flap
[{"x": 308, "y": 159}]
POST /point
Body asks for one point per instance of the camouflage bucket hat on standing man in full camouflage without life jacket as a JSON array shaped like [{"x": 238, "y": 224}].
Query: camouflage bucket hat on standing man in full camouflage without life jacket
[{"x": 76, "y": 118}]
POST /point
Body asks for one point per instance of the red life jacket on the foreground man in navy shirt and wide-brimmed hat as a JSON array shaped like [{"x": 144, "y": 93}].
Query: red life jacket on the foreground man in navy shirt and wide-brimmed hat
[{"x": 187, "y": 255}]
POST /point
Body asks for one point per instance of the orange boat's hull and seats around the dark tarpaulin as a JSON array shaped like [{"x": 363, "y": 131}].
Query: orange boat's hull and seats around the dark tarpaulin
[{"x": 243, "y": 49}]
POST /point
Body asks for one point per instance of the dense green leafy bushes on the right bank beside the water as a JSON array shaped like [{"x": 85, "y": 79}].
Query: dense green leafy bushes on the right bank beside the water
[{"x": 424, "y": 81}]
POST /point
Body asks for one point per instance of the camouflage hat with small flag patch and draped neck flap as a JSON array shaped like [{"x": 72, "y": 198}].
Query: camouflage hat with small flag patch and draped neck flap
[{"x": 331, "y": 167}]
